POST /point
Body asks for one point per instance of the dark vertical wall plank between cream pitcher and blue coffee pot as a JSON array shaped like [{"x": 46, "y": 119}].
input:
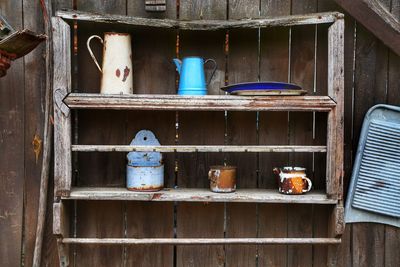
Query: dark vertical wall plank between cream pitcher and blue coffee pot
[{"x": 152, "y": 57}]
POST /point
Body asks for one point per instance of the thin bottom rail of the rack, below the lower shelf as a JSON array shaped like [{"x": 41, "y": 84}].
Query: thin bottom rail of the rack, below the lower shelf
[{"x": 199, "y": 241}]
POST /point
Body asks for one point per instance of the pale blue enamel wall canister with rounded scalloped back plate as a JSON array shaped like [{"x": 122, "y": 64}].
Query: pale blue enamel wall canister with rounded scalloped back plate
[{"x": 145, "y": 170}]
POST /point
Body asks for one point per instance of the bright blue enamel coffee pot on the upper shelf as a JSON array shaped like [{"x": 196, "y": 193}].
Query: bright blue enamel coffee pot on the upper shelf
[{"x": 192, "y": 78}]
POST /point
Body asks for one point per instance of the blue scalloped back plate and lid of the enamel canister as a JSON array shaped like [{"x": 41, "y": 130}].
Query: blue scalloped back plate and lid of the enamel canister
[{"x": 142, "y": 159}]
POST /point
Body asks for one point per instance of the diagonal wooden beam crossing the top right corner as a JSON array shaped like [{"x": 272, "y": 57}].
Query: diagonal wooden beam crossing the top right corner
[{"x": 376, "y": 18}]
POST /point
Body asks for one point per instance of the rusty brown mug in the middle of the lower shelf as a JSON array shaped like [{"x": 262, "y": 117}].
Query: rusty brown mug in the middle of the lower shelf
[{"x": 222, "y": 179}]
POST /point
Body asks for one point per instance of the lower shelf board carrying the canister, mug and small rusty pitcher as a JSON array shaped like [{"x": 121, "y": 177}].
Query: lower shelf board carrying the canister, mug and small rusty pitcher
[{"x": 198, "y": 195}]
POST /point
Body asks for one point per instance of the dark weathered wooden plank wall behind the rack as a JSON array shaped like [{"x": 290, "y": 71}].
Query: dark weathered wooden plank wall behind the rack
[{"x": 371, "y": 76}]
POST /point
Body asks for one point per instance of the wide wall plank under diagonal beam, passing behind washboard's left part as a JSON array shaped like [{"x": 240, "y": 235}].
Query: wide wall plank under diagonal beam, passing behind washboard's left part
[{"x": 370, "y": 88}]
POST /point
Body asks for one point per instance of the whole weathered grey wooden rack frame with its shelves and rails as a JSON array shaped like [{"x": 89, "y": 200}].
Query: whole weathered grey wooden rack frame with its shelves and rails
[{"x": 65, "y": 100}]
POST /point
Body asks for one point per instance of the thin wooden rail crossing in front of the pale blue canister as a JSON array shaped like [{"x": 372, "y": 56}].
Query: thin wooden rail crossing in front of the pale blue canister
[{"x": 196, "y": 148}]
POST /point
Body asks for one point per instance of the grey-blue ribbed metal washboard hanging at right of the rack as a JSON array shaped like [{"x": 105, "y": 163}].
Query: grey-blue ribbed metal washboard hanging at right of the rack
[{"x": 374, "y": 192}]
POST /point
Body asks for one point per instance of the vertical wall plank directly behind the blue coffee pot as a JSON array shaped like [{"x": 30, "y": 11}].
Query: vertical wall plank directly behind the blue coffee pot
[{"x": 198, "y": 219}]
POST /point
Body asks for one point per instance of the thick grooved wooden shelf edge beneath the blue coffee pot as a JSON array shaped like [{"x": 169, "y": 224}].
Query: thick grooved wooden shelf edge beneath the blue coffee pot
[{"x": 199, "y": 103}]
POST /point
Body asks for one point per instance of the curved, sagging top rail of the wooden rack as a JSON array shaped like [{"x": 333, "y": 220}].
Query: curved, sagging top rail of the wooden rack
[{"x": 292, "y": 20}]
